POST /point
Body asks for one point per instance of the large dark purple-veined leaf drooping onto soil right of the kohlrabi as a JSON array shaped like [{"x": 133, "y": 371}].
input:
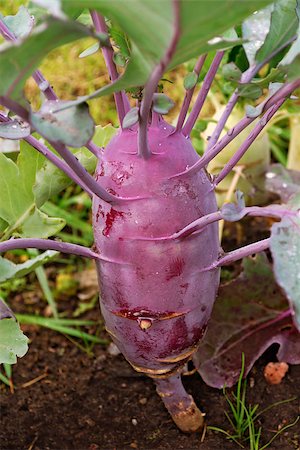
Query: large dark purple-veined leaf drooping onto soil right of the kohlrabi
[{"x": 250, "y": 314}]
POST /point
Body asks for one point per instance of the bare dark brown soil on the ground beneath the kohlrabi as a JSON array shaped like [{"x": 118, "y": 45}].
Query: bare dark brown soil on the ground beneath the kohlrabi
[{"x": 88, "y": 401}]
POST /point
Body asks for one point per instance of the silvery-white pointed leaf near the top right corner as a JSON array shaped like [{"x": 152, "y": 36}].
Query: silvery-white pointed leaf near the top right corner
[{"x": 255, "y": 29}]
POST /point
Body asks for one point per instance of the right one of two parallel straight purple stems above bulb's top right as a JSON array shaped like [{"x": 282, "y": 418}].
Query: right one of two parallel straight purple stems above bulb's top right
[{"x": 202, "y": 94}]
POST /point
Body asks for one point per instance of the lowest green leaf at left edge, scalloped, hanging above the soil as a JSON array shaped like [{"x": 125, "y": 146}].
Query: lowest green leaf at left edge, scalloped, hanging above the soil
[{"x": 13, "y": 342}]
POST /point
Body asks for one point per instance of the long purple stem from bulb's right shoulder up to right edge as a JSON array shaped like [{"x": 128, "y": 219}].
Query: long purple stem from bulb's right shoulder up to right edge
[{"x": 283, "y": 92}]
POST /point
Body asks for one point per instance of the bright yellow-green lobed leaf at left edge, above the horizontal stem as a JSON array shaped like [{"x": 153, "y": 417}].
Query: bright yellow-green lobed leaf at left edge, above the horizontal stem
[{"x": 17, "y": 205}]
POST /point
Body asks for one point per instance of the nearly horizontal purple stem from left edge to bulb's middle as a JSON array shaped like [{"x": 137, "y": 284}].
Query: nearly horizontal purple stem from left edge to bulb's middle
[{"x": 48, "y": 244}]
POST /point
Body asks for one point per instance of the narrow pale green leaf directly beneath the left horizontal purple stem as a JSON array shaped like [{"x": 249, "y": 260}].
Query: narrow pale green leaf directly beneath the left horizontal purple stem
[{"x": 9, "y": 270}]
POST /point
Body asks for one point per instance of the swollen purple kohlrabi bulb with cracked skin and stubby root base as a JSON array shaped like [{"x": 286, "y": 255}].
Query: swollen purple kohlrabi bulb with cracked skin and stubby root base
[{"x": 155, "y": 298}]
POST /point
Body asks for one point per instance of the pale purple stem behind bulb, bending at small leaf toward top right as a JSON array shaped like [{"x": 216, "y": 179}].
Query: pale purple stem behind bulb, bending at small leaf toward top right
[{"x": 245, "y": 78}]
